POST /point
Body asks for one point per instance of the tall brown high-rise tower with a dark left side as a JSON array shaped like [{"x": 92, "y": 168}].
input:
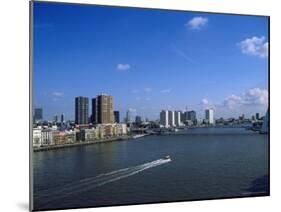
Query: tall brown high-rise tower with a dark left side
[{"x": 102, "y": 109}]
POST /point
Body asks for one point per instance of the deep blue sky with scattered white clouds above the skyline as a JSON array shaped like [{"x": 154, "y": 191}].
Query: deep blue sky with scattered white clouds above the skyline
[{"x": 149, "y": 60}]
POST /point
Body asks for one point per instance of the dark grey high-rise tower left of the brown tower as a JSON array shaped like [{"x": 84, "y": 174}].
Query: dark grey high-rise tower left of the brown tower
[{"x": 81, "y": 110}]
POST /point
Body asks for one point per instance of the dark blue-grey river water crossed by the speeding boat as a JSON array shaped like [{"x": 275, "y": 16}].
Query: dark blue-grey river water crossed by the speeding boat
[{"x": 206, "y": 163}]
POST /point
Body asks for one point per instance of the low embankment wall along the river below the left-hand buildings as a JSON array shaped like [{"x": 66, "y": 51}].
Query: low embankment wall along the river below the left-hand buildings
[{"x": 82, "y": 143}]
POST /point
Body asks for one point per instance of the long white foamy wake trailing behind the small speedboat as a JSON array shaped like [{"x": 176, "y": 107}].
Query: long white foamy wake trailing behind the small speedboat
[{"x": 83, "y": 185}]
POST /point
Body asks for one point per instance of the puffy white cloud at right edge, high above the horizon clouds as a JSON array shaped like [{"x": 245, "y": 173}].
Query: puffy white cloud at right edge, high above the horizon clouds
[{"x": 256, "y": 46}]
